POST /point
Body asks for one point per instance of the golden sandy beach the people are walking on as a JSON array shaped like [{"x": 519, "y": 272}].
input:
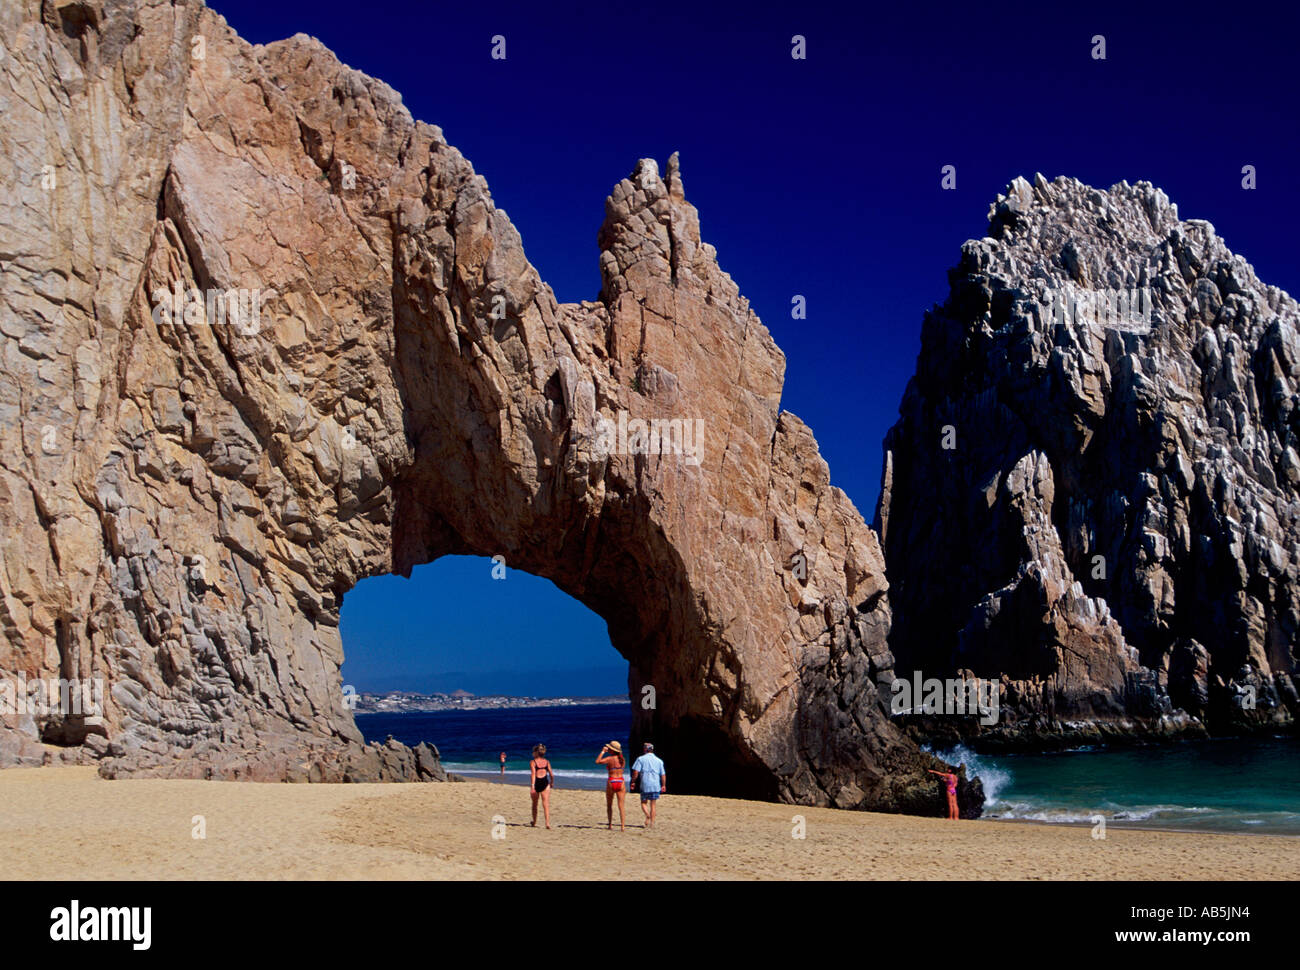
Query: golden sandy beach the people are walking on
[{"x": 68, "y": 824}]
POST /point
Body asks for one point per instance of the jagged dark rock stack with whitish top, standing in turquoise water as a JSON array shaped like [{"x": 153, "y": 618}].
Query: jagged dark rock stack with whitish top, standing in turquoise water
[{"x": 1104, "y": 517}]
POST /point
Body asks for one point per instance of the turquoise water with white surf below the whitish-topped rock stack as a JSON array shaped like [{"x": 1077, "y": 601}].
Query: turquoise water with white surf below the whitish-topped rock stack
[{"x": 1227, "y": 786}]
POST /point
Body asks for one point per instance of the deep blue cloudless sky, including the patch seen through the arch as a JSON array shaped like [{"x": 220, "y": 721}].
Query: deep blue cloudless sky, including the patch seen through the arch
[{"x": 817, "y": 177}]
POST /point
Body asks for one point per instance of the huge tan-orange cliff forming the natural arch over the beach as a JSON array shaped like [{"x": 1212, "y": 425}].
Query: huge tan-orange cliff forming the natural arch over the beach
[{"x": 187, "y": 501}]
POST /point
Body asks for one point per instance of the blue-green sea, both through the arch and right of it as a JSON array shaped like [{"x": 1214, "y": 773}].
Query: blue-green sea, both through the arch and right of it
[{"x": 1225, "y": 786}]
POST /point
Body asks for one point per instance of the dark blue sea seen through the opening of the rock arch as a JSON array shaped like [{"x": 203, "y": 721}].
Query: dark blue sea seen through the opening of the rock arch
[{"x": 471, "y": 742}]
